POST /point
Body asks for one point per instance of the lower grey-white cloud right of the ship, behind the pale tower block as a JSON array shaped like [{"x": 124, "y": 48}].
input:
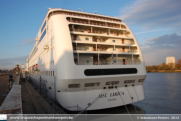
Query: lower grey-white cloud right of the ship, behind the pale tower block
[{"x": 156, "y": 50}]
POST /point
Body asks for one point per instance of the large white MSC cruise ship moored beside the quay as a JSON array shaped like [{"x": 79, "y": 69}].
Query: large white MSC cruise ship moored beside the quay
[{"x": 87, "y": 61}]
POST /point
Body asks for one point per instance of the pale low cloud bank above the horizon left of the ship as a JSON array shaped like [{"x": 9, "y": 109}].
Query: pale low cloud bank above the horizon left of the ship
[{"x": 10, "y": 63}]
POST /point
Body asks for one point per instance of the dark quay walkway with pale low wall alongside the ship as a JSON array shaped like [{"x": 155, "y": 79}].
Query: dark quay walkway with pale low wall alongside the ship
[{"x": 26, "y": 99}]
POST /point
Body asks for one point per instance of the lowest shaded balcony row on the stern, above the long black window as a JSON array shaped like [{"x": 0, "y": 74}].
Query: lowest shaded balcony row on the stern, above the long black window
[{"x": 105, "y": 59}]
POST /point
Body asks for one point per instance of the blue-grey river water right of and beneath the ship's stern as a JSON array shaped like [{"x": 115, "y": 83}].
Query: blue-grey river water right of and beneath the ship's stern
[{"x": 162, "y": 96}]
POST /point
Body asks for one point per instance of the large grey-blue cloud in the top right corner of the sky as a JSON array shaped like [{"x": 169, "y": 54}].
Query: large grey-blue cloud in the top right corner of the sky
[{"x": 153, "y": 13}]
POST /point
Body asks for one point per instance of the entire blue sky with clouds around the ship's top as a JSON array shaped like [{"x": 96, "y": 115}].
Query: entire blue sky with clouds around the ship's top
[{"x": 155, "y": 23}]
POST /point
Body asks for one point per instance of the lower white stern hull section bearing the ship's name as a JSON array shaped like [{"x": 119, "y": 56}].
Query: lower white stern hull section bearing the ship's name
[{"x": 80, "y": 100}]
